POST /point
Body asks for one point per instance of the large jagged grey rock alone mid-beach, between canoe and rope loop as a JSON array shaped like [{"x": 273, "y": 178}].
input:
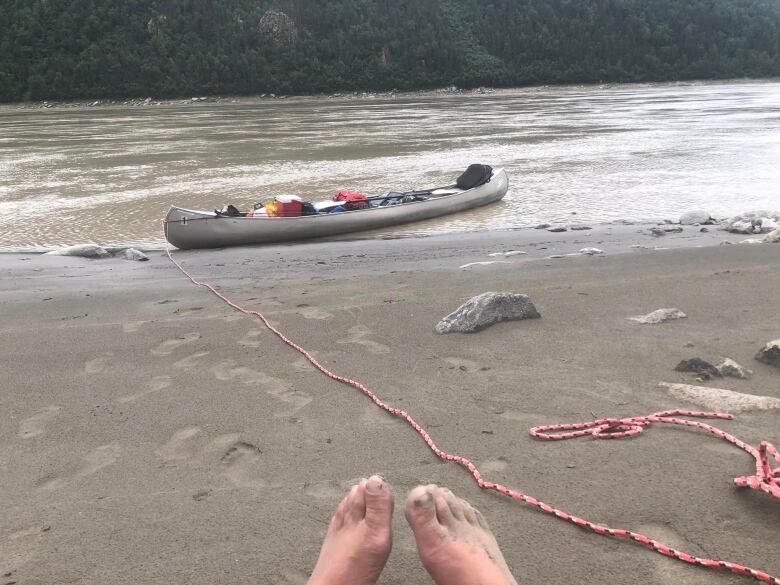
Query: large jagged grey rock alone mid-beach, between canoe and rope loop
[{"x": 487, "y": 309}]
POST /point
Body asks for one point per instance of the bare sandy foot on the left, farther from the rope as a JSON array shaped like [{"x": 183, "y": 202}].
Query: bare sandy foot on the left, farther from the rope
[{"x": 359, "y": 537}]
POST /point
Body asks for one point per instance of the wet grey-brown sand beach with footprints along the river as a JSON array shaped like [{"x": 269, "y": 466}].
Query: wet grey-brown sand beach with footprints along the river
[{"x": 150, "y": 434}]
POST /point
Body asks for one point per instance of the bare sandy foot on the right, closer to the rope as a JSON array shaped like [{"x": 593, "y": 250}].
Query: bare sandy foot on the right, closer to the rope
[{"x": 454, "y": 540}]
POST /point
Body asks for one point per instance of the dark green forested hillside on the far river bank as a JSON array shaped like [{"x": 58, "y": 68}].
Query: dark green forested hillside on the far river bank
[{"x": 71, "y": 49}]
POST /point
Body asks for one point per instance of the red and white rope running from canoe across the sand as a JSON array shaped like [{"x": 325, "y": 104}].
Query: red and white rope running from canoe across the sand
[{"x": 765, "y": 479}]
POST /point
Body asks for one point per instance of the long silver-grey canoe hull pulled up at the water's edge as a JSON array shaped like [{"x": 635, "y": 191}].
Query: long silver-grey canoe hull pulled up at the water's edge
[{"x": 185, "y": 228}]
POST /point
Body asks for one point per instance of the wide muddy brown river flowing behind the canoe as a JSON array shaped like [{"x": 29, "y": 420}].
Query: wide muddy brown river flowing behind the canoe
[{"x": 575, "y": 154}]
